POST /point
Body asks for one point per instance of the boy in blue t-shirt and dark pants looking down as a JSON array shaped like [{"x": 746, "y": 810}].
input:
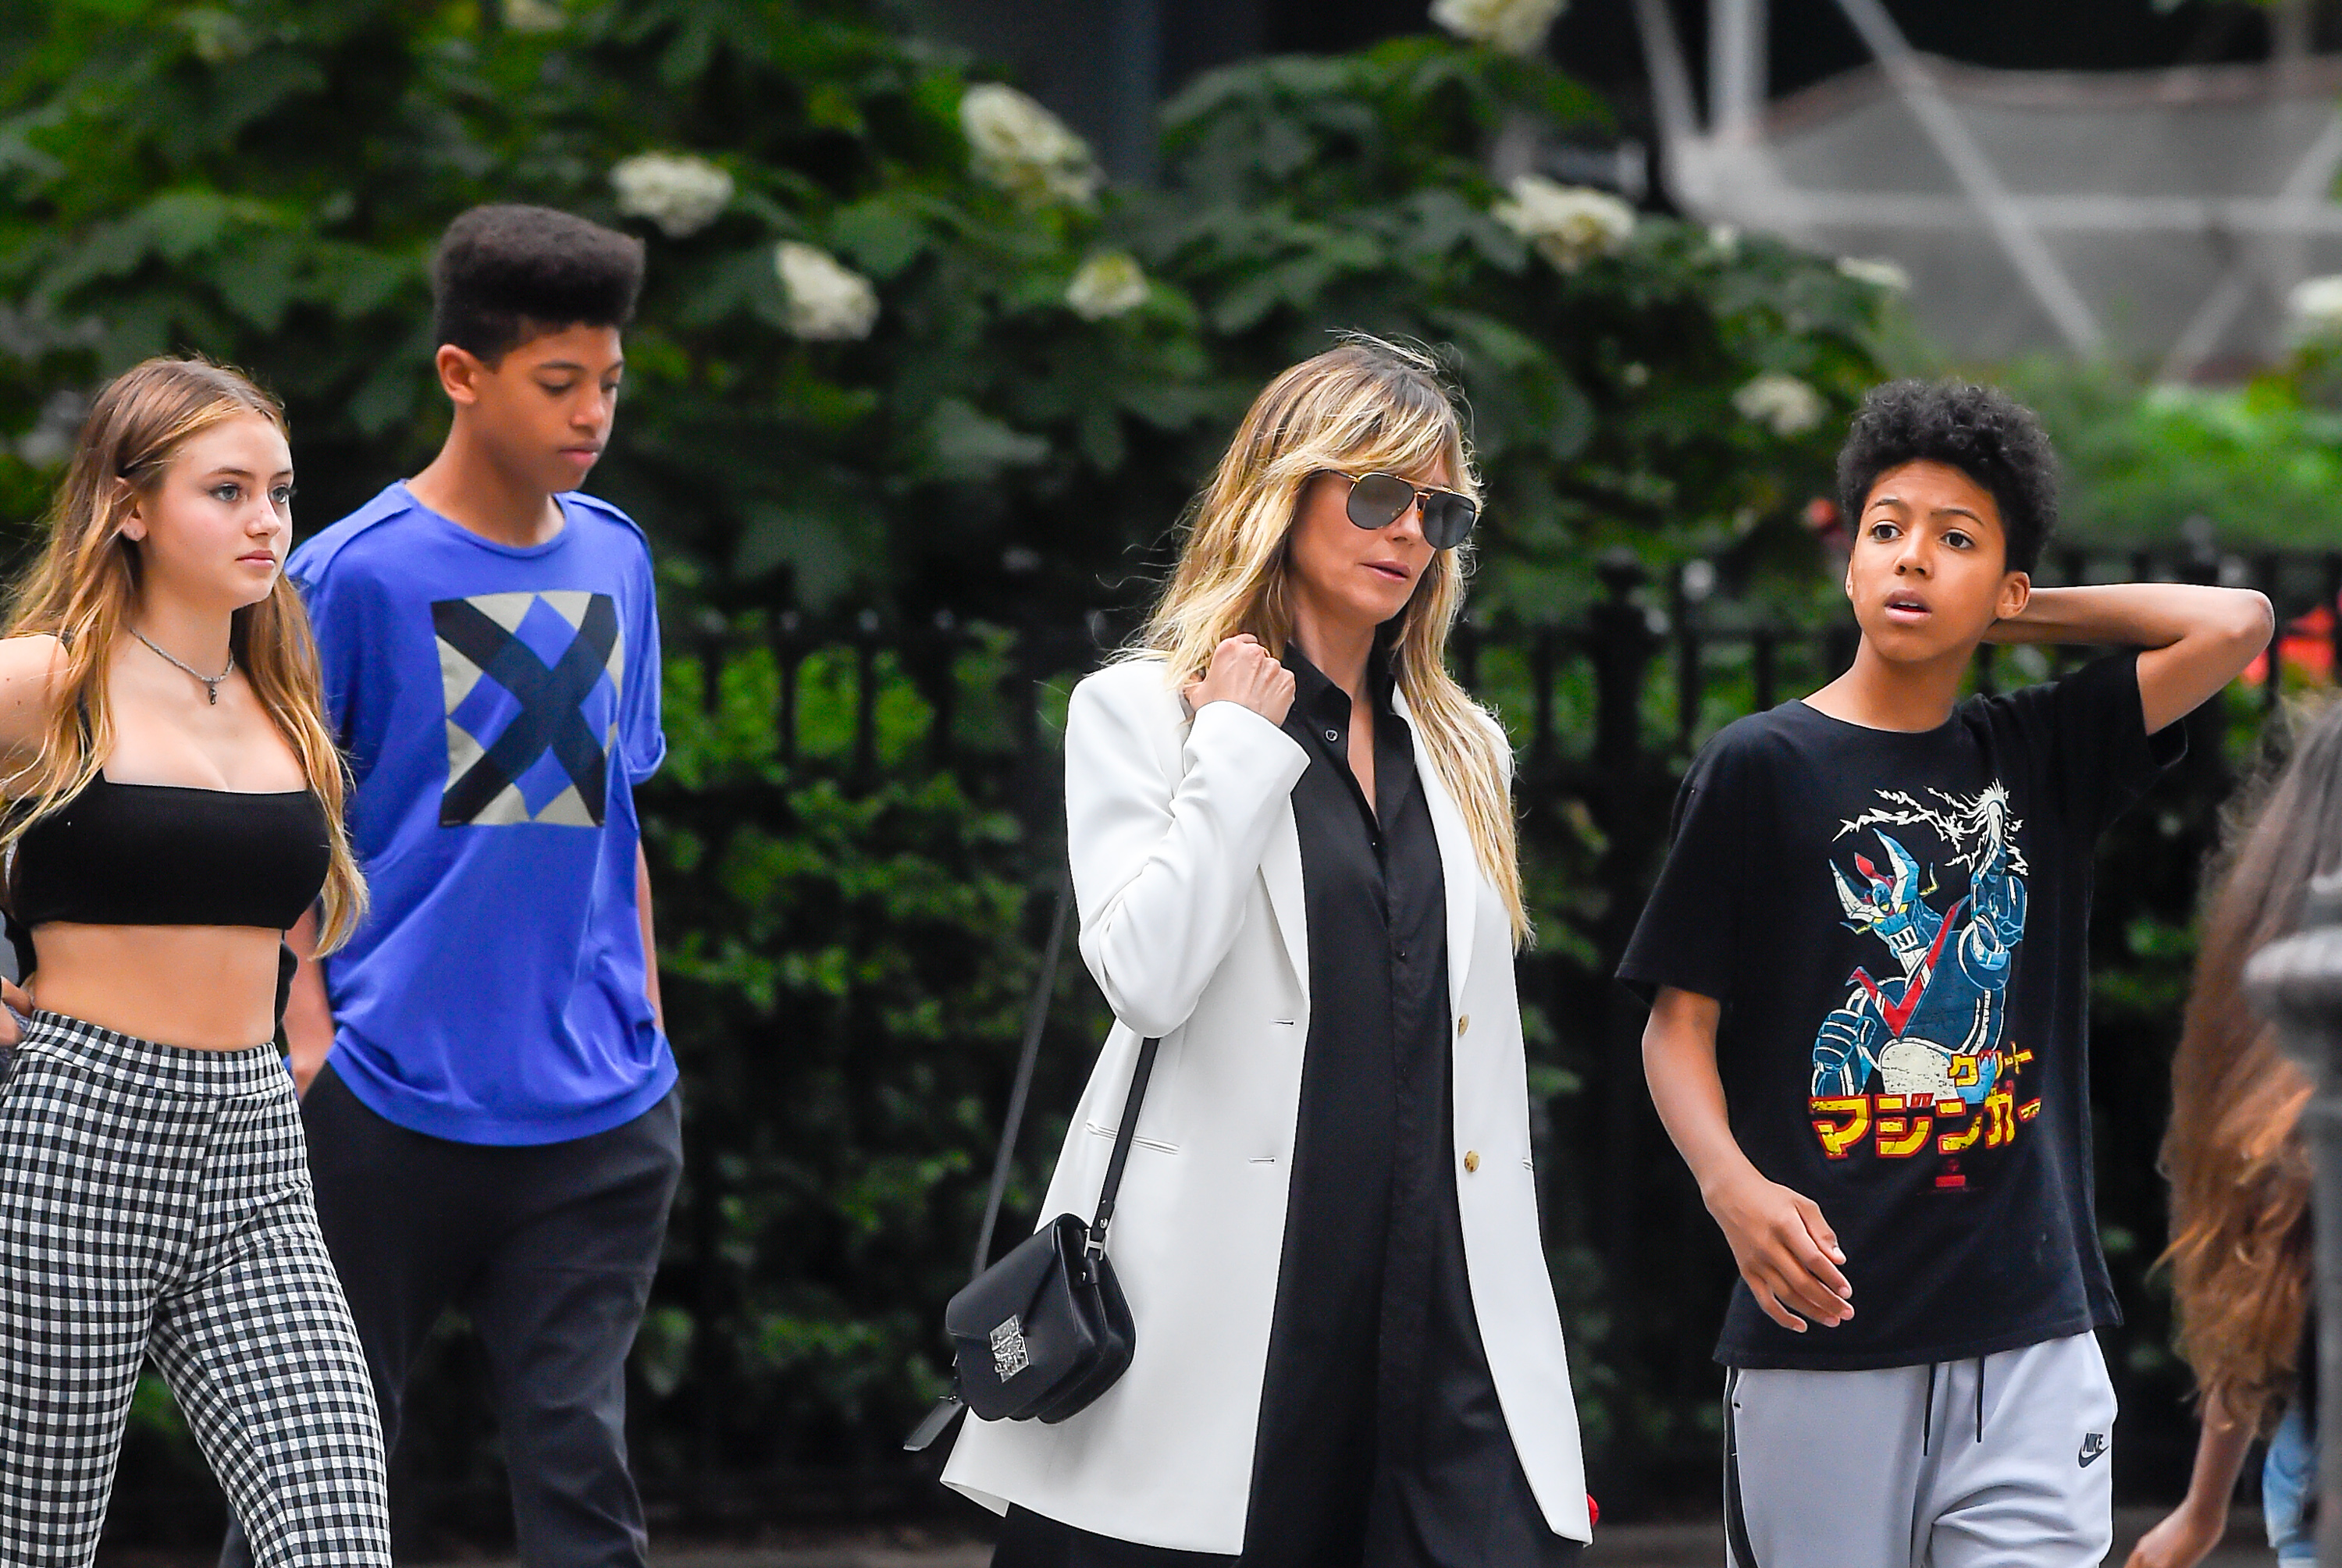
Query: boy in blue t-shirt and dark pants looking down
[{"x": 491, "y": 1099}]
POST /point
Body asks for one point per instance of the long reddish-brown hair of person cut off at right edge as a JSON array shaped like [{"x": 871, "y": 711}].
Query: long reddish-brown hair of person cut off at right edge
[{"x": 2240, "y": 1174}]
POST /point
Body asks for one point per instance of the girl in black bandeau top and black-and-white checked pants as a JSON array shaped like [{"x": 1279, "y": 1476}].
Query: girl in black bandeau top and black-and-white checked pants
[{"x": 174, "y": 804}]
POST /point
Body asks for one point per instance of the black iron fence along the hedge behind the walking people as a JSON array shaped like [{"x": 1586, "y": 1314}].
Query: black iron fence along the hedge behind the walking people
[{"x": 952, "y": 727}]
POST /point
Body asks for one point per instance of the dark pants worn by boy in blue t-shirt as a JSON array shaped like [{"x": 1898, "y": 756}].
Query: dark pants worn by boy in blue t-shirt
[{"x": 549, "y": 1251}]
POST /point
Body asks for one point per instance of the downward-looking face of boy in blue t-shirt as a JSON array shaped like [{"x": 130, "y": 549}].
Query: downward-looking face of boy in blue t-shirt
[{"x": 545, "y": 408}]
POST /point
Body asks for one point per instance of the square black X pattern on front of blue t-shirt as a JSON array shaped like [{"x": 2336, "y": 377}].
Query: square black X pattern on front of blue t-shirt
[{"x": 526, "y": 678}]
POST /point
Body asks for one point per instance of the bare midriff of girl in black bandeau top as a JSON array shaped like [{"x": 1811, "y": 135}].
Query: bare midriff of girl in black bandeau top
[{"x": 200, "y": 986}]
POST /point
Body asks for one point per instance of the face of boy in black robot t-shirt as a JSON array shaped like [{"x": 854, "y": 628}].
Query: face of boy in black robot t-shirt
[{"x": 1929, "y": 572}]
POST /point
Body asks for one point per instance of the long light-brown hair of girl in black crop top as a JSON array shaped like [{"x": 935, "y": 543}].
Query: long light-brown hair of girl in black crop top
[{"x": 85, "y": 586}]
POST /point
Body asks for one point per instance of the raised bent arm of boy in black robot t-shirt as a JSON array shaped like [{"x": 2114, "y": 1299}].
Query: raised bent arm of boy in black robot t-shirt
[{"x": 2196, "y": 638}]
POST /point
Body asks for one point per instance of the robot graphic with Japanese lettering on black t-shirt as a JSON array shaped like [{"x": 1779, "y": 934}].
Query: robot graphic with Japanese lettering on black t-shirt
[{"x": 1917, "y": 1057}]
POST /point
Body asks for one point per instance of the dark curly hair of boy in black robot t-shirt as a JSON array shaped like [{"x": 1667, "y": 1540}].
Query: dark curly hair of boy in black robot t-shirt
[{"x": 1983, "y": 432}]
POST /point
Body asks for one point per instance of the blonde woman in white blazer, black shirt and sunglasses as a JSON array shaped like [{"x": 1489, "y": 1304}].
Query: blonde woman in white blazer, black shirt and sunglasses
[{"x": 1294, "y": 860}]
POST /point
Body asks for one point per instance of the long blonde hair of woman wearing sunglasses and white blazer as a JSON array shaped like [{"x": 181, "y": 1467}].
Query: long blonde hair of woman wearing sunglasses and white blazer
[{"x": 1367, "y": 406}]
